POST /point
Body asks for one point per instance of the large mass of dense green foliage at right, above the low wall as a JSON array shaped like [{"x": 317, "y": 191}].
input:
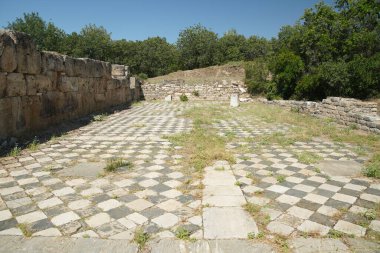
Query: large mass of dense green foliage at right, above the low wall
[{"x": 339, "y": 49}]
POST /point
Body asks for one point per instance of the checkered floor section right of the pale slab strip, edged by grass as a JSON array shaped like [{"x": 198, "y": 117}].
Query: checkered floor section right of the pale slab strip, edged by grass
[{"x": 298, "y": 199}]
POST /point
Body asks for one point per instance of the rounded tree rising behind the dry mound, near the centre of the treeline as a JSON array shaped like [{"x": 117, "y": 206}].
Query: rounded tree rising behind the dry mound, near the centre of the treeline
[{"x": 197, "y": 47}]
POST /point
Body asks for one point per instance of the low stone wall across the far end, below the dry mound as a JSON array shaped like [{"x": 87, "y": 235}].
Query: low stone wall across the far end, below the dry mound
[{"x": 218, "y": 90}]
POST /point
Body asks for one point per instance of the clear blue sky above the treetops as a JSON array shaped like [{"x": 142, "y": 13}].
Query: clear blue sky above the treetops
[{"x": 140, "y": 19}]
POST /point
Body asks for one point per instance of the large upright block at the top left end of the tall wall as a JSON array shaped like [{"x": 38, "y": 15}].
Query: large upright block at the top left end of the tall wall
[{"x": 8, "y": 61}]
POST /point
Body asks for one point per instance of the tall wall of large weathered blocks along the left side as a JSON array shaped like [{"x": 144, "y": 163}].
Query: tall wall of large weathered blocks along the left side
[{"x": 38, "y": 89}]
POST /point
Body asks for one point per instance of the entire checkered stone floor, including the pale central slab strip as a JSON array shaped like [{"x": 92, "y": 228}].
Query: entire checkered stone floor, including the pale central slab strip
[{"x": 38, "y": 195}]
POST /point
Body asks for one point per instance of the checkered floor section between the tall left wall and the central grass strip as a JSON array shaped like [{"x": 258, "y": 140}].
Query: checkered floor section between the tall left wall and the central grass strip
[{"x": 35, "y": 194}]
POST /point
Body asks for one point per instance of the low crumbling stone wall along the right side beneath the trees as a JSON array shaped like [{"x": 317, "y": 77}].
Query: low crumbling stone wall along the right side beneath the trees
[{"x": 347, "y": 111}]
